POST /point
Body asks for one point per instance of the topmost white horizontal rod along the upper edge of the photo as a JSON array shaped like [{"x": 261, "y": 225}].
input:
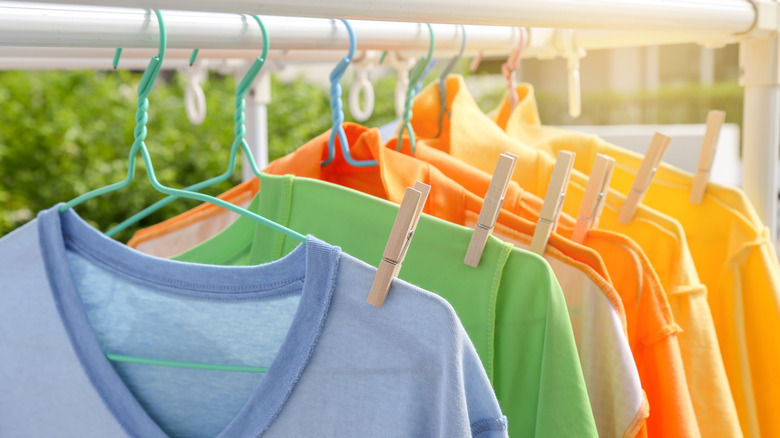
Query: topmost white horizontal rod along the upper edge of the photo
[{"x": 727, "y": 16}]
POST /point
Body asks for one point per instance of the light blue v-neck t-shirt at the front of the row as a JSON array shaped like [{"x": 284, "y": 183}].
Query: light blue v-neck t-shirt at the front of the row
[{"x": 335, "y": 365}]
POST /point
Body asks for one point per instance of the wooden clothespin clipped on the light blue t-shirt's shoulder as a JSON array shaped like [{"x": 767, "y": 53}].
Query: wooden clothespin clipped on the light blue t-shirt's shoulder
[{"x": 398, "y": 242}]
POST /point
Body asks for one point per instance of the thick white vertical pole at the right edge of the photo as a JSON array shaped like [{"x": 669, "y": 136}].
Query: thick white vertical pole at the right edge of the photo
[{"x": 760, "y": 75}]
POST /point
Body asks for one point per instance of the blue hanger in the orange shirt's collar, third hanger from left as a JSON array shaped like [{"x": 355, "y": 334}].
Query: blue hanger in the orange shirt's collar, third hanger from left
[{"x": 337, "y": 109}]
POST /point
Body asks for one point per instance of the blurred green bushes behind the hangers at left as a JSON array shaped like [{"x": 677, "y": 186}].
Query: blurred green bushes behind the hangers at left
[{"x": 65, "y": 133}]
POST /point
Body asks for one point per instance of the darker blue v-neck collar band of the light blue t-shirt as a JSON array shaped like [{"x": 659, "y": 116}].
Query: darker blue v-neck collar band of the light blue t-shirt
[{"x": 314, "y": 262}]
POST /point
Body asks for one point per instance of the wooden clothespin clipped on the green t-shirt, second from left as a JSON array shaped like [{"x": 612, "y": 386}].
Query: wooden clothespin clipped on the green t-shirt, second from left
[{"x": 494, "y": 199}]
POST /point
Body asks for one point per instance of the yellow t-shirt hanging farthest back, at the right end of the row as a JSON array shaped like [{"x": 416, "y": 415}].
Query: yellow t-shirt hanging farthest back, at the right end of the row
[{"x": 735, "y": 260}]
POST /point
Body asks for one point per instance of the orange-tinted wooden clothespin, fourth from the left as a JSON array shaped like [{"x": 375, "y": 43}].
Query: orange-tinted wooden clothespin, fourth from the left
[{"x": 595, "y": 197}]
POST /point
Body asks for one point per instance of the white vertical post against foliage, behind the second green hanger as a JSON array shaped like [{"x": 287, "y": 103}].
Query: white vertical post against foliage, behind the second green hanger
[{"x": 257, "y": 101}]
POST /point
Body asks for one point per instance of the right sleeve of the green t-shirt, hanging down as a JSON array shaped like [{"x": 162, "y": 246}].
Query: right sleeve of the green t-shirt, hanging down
[{"x": 538, "y": 376}]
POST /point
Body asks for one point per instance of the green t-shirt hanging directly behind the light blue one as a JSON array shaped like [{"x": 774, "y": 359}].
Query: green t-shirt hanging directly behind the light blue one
[{"x": 511, "y": 305}]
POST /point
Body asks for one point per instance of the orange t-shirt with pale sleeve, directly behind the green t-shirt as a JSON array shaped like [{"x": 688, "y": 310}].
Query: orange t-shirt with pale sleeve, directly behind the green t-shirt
[{"x": 590, "y": 301}]
